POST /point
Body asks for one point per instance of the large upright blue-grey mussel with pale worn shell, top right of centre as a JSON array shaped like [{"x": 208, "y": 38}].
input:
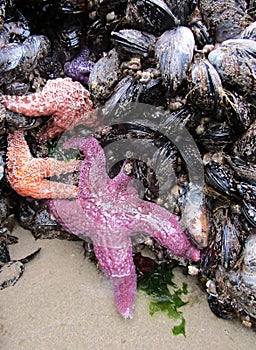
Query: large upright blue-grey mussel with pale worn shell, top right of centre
[{"x": 174, "y": 52}]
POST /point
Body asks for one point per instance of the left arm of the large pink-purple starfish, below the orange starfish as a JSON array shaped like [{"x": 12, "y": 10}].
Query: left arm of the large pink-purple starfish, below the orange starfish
[{"x": 70, "y": 215}]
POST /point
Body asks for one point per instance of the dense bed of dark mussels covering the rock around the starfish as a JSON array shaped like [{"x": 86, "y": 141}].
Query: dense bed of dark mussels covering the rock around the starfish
[{"x": 194, "y": 59}]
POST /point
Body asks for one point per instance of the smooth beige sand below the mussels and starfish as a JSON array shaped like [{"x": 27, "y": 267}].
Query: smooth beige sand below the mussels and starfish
[{"x": 63, "y": 302}]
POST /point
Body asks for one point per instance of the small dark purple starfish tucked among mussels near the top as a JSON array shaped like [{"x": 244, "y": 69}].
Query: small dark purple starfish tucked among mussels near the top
[{"x": 80, "y": 67}]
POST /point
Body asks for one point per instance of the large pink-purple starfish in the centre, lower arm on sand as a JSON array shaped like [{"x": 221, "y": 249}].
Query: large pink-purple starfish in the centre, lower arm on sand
[{"x": 110, "y": 211}]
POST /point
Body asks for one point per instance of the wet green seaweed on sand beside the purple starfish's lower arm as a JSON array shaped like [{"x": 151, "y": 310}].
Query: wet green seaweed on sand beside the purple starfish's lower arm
[{"x": 165, "y": 294}]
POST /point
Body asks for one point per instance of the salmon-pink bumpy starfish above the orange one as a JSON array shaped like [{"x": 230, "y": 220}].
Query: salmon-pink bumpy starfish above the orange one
[{"x": 67, "y": 101}]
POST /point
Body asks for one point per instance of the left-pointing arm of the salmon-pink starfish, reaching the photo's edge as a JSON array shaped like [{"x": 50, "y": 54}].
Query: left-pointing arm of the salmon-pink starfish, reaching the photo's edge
[{"x": 32, "y": 105}]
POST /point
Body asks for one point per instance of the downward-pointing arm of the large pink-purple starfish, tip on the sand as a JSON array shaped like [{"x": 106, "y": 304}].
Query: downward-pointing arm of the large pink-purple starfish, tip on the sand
[{"x": 117, "y": 263}]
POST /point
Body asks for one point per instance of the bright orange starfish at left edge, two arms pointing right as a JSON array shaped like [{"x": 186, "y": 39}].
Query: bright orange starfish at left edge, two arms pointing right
[{"x": 26, "y": 174}]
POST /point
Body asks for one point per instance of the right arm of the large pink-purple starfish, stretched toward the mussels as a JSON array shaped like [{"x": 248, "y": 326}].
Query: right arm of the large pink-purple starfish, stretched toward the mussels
[{"x": 163, "y": 226}]
